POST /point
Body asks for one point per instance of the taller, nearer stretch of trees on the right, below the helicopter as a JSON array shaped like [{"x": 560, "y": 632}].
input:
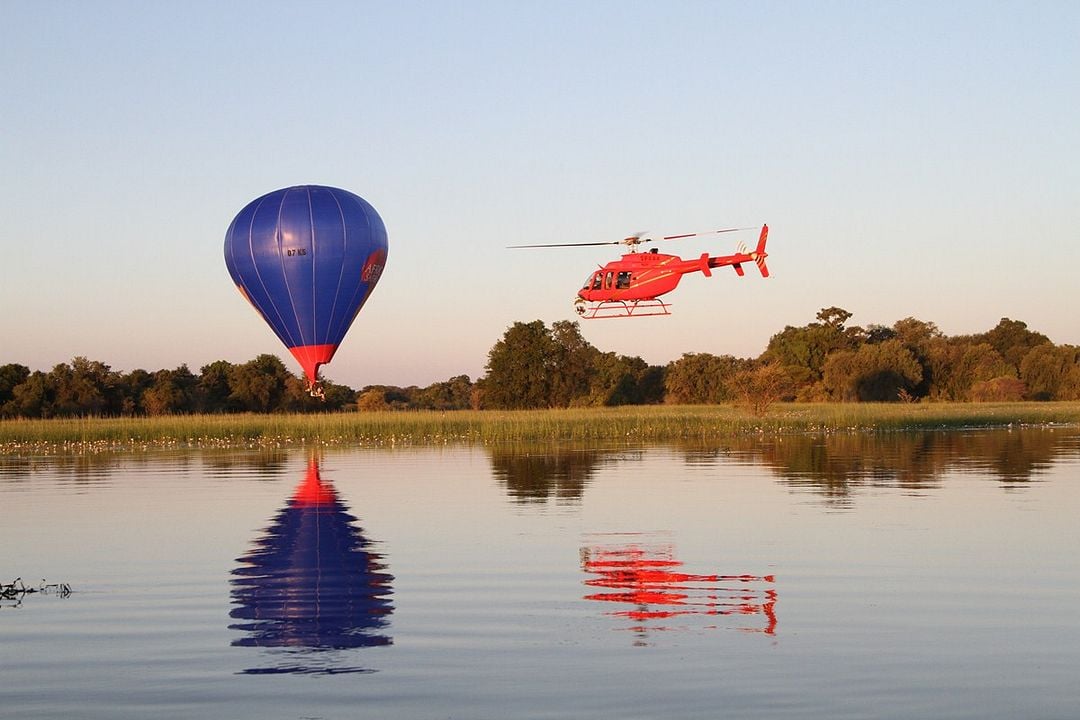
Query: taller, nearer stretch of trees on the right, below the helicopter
[{"x": 825, "y": 361}]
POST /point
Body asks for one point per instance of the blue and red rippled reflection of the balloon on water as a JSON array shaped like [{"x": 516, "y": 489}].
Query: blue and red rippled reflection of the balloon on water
[{"x": 312, "y": 588}]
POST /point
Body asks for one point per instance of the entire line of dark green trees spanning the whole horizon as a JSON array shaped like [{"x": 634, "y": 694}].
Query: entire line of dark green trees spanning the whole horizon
[{"x": 537, "y": 366}]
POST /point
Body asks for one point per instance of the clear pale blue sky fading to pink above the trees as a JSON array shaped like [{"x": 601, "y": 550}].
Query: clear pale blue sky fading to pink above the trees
[{"x": 912, "y": 159}]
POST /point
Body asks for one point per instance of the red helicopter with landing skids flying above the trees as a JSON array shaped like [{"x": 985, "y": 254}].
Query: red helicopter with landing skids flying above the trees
[{"x": 632, "y": 287}]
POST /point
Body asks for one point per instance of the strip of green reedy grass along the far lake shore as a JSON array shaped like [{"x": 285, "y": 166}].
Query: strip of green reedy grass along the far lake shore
[{"x": 627, "y": 425}]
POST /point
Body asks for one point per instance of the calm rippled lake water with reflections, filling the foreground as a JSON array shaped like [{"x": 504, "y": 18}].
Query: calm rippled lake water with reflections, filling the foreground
[{"x": 906, "y": 576}]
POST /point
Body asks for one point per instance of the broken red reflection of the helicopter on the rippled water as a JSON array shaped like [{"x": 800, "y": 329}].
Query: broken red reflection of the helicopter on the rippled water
[{"x": 646, "y": 583}]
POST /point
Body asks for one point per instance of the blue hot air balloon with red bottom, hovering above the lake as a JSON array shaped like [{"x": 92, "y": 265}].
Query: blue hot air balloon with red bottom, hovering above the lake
[{"x": 307, "y": 259}]
